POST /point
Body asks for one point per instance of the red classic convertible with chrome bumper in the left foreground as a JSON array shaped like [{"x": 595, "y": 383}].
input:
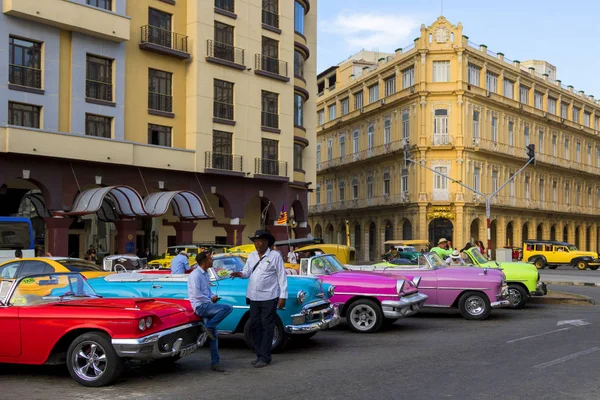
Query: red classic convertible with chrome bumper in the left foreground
[{"x": 57, "y": 318}]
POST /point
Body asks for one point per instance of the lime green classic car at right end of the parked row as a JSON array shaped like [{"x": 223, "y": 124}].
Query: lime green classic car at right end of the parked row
[{"x": 523, "y": 278}]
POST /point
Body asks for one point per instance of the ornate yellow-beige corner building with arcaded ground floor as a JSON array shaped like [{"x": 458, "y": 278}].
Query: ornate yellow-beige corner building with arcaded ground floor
[{"x": 469, "y": 113}]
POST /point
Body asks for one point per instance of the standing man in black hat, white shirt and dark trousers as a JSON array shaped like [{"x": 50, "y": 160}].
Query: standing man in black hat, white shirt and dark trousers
[{"x": 267, "y": 291}]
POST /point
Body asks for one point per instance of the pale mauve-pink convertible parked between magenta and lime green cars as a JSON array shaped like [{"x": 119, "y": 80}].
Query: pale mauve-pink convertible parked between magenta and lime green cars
[{"x": 474, "y": 291}]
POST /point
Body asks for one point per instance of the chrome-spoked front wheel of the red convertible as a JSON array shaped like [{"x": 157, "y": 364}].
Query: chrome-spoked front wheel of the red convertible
[{"x": 92, "y": 361}]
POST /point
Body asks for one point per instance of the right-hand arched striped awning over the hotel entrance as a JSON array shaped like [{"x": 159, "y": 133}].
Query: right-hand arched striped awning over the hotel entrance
[{"x": 186, "y": 204}]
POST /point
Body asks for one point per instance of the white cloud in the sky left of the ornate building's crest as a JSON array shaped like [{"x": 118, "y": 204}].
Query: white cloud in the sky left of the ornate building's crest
[{"x": 372, "y": 30}]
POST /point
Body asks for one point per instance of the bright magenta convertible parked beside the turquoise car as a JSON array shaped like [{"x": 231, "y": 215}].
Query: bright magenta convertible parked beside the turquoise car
[{"x": 366, "y": 299}]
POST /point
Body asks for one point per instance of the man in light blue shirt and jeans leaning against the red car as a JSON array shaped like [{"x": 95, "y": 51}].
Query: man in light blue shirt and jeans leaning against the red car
[{"x": 204, "y": 303}]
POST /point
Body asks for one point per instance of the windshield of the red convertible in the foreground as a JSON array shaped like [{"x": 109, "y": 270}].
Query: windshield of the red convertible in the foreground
[{"x": 50, "y": 288}]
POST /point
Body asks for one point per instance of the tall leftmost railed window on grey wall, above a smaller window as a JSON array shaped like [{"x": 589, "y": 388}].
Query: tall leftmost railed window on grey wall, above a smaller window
[{"x": 25, "y": 63}]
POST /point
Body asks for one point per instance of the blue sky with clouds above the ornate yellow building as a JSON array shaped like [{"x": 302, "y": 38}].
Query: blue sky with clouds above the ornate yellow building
[{"x": 563, "y": 33}]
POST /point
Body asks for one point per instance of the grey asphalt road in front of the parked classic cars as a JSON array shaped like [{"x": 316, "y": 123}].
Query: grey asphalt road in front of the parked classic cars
[{"x": 516, "y": 354}]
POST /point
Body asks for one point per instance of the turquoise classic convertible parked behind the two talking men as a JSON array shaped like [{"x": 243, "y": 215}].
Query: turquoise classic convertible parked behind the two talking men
[{"x": 307, "y": 309}]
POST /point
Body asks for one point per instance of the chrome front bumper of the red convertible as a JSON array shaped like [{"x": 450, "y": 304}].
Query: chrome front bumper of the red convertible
[{"x": 167, "y": 343}]
